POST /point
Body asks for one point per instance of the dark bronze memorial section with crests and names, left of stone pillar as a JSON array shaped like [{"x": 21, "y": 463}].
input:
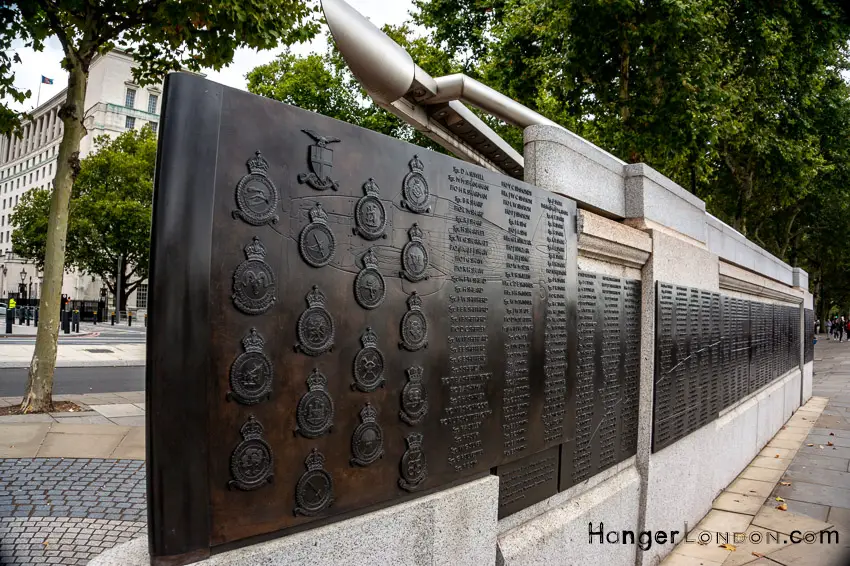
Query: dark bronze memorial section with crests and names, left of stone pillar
[{"x": 341, "y": 321}]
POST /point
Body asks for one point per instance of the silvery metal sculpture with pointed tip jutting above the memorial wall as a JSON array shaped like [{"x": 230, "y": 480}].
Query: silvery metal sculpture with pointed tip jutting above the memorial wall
[{"x": 432, "y": 105}]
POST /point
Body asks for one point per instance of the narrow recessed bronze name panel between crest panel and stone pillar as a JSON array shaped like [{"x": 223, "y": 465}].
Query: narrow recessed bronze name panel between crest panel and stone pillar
[{"x": 607, "y": 373}]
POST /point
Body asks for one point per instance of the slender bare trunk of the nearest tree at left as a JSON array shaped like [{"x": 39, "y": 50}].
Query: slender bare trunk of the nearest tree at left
[{"x": 39, "y": 393}]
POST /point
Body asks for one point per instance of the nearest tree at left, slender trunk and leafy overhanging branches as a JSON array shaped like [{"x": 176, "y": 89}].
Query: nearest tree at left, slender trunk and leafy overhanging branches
[{"x": 163, "y": 36}]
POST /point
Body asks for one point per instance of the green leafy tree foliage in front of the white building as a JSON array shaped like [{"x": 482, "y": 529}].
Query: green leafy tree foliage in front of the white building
[{"x": 110, "y": 212}]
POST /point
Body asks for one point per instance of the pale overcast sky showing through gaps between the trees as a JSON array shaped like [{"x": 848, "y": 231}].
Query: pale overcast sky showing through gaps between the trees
[{"x": 35, "y": 64}]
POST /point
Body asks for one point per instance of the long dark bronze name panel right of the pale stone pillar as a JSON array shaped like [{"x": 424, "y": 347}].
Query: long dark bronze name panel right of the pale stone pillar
[{"x": 711, "y": 351}]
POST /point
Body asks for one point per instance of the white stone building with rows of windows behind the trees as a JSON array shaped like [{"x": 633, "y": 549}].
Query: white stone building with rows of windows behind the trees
[{"x": 114, "y": 104}]
